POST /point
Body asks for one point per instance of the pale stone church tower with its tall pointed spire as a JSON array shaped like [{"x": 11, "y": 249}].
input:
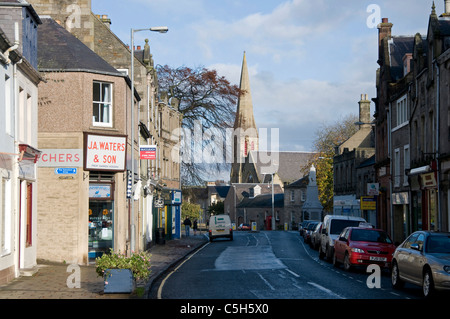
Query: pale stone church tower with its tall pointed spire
[{"x": 245, "y": 135}]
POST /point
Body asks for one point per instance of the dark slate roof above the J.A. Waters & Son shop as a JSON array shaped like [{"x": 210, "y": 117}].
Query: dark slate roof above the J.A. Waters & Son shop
[{"x": 59, "y": 50}]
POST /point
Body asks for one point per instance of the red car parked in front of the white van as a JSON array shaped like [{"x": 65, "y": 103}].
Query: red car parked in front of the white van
[{"x": 360, "y": 246}]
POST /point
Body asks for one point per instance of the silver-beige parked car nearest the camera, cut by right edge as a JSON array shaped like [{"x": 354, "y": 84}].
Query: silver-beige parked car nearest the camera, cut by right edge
[{"x": 423, "y": 259}]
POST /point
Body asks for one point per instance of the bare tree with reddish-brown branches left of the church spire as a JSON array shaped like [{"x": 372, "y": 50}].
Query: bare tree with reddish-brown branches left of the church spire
[{"x": 208, "y": 101}]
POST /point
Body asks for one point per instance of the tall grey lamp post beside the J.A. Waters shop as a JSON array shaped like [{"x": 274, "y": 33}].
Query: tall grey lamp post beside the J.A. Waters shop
[{"x": 155, "y": 29}]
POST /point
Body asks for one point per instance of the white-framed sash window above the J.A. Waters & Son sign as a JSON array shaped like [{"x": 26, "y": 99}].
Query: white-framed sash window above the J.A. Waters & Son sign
[{"x": 102, "y": 104}]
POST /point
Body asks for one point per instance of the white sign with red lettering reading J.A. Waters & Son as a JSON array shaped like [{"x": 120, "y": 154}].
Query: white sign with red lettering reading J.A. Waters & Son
[{"x": 105, "y": 152}]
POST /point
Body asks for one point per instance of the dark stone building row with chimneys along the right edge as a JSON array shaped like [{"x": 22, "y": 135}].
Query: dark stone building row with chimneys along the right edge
[{"x": 412, "y": 131}]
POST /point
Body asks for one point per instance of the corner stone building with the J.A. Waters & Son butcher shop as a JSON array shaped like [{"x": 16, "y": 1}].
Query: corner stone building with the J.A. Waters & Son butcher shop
[{"x": 84, "y": 129}]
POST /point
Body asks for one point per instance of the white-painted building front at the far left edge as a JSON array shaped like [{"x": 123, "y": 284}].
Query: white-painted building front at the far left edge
[{"x": 19, "y": 151}]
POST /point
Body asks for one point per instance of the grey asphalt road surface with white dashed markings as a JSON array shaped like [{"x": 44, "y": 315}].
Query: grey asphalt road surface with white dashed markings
[{"x": 270, "y": 265}]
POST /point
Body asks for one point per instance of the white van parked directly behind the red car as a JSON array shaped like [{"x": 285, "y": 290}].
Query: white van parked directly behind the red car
[{"x": 332, "y": 227}]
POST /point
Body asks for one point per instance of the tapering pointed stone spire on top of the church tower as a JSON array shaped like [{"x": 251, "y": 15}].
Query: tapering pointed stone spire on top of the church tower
[{"x": 244, "y": 114}]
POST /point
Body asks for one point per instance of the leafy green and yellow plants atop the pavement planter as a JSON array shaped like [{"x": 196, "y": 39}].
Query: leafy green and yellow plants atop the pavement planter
[{"x": 138, "y": 263}]
